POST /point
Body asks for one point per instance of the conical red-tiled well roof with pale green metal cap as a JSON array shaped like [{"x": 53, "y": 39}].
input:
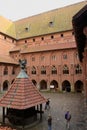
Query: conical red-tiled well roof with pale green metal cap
[{"x": 22, "y": 94}]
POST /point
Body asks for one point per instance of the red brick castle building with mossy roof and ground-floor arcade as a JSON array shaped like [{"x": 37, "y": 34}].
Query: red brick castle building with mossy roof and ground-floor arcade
[{"x": 47, "y": 43}]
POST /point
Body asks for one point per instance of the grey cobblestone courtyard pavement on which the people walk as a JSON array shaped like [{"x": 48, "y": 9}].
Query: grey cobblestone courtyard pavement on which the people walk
[{"x": 60, "y": 102}]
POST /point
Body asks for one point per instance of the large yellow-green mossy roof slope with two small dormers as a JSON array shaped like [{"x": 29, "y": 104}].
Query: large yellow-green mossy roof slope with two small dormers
[{"x": 39, "y": 24}]
